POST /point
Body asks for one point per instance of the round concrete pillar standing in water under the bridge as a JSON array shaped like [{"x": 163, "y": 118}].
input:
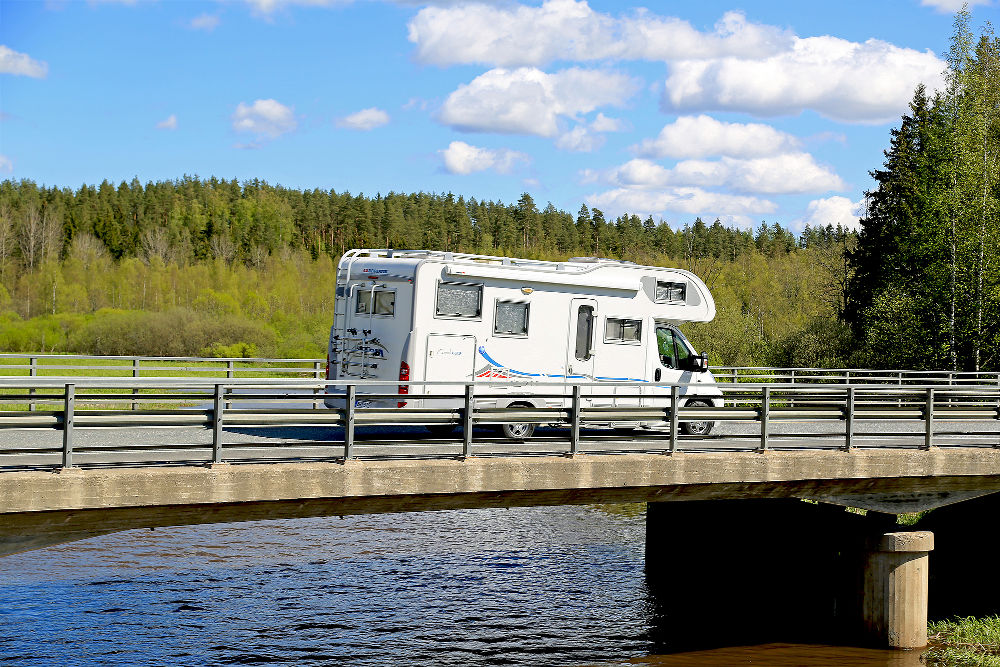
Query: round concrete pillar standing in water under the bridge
[{"x": 895, "y": 589}]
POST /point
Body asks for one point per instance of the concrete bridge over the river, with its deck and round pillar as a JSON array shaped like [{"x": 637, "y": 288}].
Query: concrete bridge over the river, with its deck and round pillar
[{"x": 714, "y": 502}]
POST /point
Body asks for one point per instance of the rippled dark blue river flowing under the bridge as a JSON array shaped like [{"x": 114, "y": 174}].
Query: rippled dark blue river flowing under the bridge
[{"x": 525, "y": 586}]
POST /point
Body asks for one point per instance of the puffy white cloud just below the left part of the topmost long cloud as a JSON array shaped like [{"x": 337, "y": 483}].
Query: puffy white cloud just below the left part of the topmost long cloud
[{"x": 530, "y": 101}]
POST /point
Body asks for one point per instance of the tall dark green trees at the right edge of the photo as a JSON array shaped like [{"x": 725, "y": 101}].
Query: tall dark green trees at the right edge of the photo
[{"x": 926, "y": 270}]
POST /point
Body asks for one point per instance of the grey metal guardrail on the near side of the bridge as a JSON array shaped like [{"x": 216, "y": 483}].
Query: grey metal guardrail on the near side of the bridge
[{"x": 69, "y": 406}]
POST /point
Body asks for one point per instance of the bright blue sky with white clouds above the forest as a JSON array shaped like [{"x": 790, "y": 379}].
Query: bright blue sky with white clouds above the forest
[{"x": 750, "y": 112}]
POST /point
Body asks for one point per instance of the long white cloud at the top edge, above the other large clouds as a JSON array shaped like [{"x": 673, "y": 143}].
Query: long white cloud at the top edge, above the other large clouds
[{"x": 518, "y": 35}]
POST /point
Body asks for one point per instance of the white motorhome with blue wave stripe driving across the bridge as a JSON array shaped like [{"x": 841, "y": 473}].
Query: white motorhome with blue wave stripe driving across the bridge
[{"x": 423, "y": 315}]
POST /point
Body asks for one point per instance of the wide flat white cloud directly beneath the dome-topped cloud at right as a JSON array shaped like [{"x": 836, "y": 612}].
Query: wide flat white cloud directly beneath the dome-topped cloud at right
[{"x": 778, "y": 174}]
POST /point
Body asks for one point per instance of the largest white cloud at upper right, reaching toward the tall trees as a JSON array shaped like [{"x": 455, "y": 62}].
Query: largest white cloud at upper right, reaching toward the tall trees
[{"x": 846, "y": 81}]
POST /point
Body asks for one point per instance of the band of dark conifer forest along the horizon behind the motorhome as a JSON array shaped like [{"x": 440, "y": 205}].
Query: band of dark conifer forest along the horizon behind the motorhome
[{"x": 190, "y": 220}]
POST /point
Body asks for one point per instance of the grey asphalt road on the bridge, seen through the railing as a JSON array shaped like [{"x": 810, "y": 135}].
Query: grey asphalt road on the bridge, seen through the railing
[{"x": 171, "y": 445}]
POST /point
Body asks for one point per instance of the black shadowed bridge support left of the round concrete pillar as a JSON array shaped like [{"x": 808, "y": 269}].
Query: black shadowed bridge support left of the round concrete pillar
[{"x": 725, "y": 572}]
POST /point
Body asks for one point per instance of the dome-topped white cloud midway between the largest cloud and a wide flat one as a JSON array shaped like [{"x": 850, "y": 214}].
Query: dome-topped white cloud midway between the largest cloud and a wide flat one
[{"x": 703, "y": 136}]
